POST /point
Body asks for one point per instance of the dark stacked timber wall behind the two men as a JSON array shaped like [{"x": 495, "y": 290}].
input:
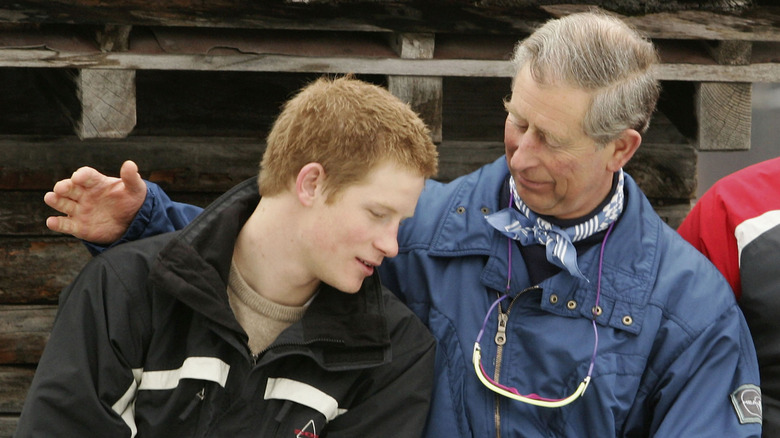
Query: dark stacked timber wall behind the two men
[{"x": 195, "y": 104}]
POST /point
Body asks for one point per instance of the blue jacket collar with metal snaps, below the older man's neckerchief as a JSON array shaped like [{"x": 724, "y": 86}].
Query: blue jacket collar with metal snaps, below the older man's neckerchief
[{"x": 631, "y": 255}]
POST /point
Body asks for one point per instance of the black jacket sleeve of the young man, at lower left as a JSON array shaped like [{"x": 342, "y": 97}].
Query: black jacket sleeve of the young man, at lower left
[{"x": 87, "y": 377}]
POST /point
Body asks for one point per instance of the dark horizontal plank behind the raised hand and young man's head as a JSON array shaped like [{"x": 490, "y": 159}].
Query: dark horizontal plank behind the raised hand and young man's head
[{"x": 217, "y": 164}]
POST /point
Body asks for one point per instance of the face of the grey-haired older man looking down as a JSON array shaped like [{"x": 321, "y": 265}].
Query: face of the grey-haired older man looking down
[{"x": 558, "y": 169}]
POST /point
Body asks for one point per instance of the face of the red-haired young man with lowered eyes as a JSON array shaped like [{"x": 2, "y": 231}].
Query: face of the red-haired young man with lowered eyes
[{"x": 360, "y": 227}]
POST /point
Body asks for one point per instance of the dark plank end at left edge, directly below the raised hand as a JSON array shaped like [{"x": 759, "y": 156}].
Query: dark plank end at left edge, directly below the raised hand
[{"x": 34, "y": 270}]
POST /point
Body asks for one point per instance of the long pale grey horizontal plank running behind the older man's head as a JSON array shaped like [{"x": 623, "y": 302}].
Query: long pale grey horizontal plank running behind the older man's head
[{"x": 39, "y": 58}]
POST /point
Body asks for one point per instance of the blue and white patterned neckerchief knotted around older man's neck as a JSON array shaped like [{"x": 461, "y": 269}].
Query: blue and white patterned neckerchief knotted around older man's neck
[{"x": 528, "y": 228}]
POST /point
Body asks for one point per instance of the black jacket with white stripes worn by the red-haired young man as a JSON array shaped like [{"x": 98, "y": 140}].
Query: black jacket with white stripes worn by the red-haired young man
[{"x": 145, "y": 343}]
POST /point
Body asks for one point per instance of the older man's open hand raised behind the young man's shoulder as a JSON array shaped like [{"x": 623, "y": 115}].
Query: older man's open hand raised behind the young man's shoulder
[{"x": 99, "y": 208}]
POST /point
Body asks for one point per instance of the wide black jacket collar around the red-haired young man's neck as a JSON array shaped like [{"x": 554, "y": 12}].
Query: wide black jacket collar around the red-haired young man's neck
[{"x": 339, "y": 330}]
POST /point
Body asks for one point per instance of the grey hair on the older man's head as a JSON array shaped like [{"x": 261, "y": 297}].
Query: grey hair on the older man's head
[{"x": 600, "y": 54}]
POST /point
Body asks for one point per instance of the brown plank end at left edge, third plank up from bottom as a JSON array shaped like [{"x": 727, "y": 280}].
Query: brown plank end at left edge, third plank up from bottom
[{"x": 24, "y": 331}]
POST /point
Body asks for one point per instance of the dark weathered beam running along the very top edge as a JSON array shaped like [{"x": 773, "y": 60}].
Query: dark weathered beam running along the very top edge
[{"x": 714, "y": 19}]
